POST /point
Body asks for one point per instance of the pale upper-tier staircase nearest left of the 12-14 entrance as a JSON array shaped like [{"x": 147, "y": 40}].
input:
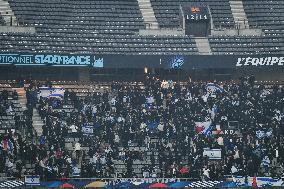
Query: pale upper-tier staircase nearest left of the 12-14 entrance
[{"x": 148, "y": 14}]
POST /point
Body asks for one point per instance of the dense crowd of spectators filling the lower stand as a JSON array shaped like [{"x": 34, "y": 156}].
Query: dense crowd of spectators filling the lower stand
[{"x": 132, "y": 115}]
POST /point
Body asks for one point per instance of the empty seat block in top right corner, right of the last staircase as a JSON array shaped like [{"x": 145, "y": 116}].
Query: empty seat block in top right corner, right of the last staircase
[{"x": 265, "y": 14}]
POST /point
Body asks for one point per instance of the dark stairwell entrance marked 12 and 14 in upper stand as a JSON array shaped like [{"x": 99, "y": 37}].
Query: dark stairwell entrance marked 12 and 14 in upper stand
[{"x": 196, "y": 19}]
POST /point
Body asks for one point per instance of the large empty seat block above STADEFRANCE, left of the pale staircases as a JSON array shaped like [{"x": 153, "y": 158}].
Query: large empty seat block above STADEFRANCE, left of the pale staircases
[{"x": 92, "y": 29}]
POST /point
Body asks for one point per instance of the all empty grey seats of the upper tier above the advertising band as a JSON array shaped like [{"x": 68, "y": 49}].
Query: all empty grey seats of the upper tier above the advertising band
[{"x": 109, "y": 27}]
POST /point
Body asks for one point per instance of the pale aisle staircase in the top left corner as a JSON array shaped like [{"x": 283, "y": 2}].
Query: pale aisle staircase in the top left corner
[{"x": 7, "y": 13}]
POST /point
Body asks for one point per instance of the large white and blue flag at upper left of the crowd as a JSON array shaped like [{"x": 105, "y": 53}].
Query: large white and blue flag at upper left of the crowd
[{"x": 46, "y": 92}]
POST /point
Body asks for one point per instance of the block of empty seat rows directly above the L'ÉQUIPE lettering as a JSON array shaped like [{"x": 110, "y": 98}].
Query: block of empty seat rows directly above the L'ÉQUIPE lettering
[{"x": 246, "y": 45}]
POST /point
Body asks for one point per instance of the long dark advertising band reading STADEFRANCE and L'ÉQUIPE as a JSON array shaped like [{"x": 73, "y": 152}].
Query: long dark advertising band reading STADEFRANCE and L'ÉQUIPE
[{"x": 141, "y": 61}]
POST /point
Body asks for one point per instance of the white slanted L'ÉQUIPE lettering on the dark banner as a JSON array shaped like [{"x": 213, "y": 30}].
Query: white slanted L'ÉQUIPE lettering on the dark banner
[{"x": 268, "y": 61}]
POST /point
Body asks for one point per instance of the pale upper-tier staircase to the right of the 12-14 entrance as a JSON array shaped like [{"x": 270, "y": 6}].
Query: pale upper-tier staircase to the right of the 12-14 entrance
[{"x": 239, "y": 14}]
